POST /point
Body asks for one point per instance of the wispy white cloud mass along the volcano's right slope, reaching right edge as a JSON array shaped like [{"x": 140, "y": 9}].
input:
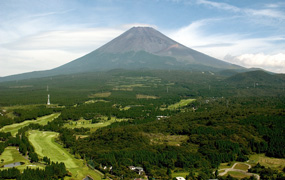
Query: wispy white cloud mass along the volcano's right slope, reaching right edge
[{"x": 234, "y": 48}]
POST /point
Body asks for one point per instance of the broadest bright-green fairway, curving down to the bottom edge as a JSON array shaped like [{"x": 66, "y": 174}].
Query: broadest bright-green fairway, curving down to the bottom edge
[{"x": 45, "y": 145}]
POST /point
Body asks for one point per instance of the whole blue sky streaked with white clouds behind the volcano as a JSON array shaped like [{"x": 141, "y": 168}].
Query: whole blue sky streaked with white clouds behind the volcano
[{"x": 39, "y": 34}]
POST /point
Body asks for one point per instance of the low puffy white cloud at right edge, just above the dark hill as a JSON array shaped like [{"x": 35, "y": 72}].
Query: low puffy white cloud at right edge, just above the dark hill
[{"x": 275, "y": 62}]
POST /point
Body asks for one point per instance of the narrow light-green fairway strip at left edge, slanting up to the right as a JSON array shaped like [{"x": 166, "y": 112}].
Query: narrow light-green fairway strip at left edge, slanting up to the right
[{"x": 13, "y": 128}]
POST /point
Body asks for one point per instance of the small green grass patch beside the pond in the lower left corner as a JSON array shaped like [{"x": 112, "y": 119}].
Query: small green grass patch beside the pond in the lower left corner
[{"x": 12, "y": 155}]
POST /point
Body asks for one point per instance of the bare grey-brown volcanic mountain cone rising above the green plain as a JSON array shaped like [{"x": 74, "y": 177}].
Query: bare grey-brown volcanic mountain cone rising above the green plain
[{"x": 137, "y": 48}]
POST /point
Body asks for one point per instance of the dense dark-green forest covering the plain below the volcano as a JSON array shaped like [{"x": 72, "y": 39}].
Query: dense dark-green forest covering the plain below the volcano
[{"x": 232, "y": 117}]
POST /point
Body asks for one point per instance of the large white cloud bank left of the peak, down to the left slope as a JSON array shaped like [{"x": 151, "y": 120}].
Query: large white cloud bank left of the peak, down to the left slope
[{"x": 51, "y": 49}]
